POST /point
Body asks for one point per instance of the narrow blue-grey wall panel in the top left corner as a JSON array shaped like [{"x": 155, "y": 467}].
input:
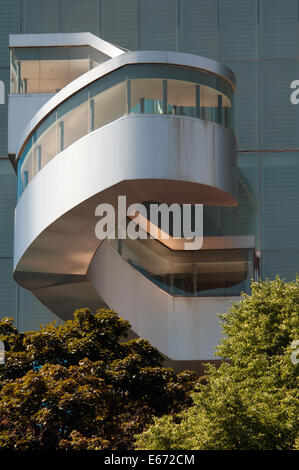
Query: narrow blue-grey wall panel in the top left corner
[{"x": 9, "y": 23}]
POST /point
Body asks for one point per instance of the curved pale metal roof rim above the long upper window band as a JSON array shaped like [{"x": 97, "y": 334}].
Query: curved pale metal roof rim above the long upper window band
[{"x": 136, "y": 57}]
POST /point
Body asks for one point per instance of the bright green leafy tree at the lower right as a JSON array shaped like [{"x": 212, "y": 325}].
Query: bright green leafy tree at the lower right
[{"x": 251, "y": 401}]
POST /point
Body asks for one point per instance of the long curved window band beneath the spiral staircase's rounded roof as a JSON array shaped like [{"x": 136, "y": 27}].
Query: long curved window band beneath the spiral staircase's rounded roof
[{"x": 193, "y": 93}]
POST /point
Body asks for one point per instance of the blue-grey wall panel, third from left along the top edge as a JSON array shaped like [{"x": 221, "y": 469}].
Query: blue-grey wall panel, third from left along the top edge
[{"x": 80, "y": 15}]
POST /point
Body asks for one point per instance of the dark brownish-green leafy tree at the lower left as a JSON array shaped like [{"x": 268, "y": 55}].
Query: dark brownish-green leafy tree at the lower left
[{"x": 77, "y": 386}]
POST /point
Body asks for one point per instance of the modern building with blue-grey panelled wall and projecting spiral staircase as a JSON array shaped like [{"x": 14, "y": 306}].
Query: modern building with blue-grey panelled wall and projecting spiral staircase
[{"x": 174, "y": 101}]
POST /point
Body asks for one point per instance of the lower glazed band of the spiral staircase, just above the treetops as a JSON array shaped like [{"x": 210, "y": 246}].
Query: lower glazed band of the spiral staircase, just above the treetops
[{"x": 202, "y": 273}]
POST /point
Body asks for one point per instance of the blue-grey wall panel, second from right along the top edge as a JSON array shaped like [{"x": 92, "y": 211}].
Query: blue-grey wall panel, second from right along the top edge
[{"x": 238, "y": 29}]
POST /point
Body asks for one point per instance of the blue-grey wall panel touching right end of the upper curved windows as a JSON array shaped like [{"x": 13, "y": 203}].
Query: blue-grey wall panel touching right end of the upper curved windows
[{"x": 246, "y": 103}]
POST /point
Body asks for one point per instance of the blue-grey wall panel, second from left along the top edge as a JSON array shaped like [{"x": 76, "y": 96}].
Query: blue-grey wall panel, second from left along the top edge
[{"x": 40, "y": 16}]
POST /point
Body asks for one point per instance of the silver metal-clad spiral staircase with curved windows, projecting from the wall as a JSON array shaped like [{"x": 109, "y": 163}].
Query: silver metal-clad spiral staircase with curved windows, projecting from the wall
[{"x": 148, "y": 149}]
